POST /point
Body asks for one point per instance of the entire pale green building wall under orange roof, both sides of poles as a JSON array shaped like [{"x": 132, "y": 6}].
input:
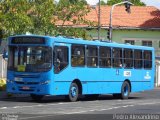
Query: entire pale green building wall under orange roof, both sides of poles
[{"x": 120, "y": 36}]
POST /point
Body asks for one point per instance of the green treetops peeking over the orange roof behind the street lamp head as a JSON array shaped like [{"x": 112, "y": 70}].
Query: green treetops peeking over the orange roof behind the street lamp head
[{"x": 135, "y": 2}]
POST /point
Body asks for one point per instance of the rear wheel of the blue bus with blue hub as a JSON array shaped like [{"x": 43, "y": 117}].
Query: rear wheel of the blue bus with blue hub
[{"x": 125, "y": 90}]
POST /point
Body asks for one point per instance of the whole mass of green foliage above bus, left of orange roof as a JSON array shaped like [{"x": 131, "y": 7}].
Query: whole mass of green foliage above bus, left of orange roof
[{"x": 40, "y": 16}]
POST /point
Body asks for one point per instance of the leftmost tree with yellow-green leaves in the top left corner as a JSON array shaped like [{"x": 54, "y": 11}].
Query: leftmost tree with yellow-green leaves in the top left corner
[{"x": 13, "y": 17}]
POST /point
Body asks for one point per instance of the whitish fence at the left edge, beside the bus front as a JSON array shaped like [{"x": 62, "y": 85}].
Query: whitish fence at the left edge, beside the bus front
[{"x": 3, "y": 67}]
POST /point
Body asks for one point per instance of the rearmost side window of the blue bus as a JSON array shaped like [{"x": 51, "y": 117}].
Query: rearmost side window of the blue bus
[{"x": 147, "y": 59}]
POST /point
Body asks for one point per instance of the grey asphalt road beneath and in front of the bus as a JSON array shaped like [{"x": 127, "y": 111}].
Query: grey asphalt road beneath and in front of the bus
[{"x": 106, "y": 107}]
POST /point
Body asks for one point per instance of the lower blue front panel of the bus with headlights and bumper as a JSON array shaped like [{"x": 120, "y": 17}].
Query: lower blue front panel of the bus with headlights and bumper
[{"x": 34, "y": 82}]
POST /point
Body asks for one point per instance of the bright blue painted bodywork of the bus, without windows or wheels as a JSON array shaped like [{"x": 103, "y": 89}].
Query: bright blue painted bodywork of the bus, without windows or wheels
[{"x": 94, "y": 80}]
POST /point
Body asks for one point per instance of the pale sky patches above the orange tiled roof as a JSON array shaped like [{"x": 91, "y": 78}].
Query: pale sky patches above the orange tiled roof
[{"x": 155, "y": 3}]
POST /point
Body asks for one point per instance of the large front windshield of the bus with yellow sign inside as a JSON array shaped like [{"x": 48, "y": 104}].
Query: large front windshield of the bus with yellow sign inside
[{"x": 29, "y": 59}]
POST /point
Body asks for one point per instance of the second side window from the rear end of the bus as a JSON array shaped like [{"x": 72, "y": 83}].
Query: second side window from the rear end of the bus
[{"x": 138, "y": 59}]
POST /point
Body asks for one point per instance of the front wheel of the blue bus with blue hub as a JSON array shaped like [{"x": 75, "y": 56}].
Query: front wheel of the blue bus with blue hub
[{"x": 73, "y": 92}]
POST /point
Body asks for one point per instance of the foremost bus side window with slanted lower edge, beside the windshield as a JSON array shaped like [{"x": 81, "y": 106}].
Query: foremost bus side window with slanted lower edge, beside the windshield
[{"x": 60, "y": 58}]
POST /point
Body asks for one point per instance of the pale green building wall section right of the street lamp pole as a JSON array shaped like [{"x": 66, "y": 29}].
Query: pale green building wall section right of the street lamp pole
[{"x": 138, "y": 35}]
